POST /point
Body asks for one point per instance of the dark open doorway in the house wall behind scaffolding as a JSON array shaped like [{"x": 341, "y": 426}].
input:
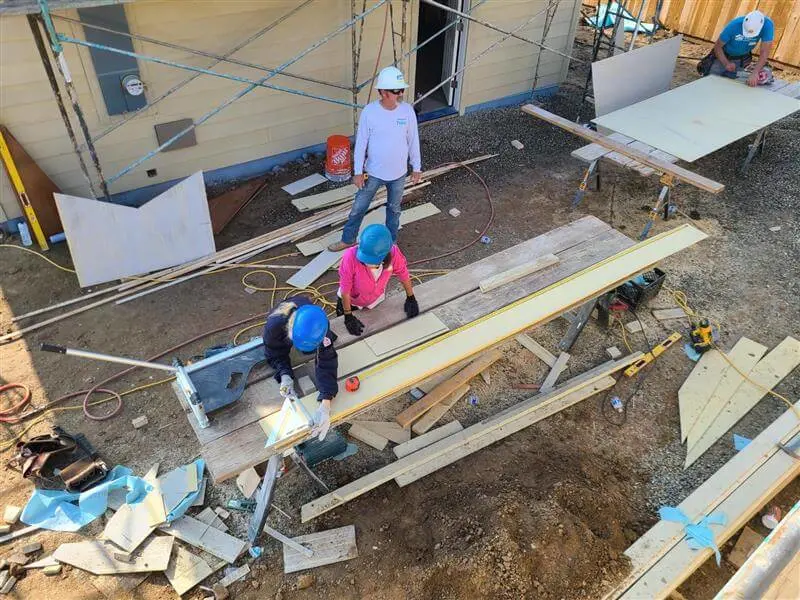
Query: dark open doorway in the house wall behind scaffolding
[{"x": 438, "y": 60}]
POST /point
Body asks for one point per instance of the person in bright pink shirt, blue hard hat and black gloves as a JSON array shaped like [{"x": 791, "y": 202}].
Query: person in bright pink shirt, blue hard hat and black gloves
[{"x": 364, "y": 273}]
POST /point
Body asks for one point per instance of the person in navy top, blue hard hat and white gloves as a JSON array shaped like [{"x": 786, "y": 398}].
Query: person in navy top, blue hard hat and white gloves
[{"x": 298, "y": 322}]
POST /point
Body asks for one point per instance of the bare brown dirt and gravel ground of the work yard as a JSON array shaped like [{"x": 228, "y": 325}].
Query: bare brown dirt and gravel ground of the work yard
[{"x": 545, "y": 513}]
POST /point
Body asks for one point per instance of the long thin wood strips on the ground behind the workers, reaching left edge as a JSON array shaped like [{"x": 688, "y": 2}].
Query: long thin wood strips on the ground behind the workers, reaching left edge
[{"x": 238, "y": 253}]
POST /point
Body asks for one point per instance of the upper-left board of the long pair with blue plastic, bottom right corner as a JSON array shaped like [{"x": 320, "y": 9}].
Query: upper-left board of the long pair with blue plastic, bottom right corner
[{"x": 708, "y": 497}]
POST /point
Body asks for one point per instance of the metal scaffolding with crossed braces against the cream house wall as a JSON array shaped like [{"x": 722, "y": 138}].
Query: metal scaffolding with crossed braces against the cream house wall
[{"x": 355, "y": 24}]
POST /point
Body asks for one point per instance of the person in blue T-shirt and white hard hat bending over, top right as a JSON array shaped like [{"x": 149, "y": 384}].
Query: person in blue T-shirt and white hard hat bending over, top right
[{"x": 732, "y": 50}]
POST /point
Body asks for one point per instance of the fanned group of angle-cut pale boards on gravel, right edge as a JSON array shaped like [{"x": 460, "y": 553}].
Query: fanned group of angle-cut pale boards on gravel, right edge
[{"x": 716, "y": 395}]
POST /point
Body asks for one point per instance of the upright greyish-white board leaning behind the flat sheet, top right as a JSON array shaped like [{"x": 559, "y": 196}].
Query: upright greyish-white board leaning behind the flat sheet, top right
[{"x": 631, "y": 77}]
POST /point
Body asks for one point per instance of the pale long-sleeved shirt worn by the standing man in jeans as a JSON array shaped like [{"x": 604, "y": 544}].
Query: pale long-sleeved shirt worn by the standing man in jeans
[{"x": 388, "y": 139}]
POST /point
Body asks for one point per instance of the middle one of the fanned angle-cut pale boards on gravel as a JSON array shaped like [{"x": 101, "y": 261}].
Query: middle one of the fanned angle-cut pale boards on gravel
[{"x": 744, "y": 355}]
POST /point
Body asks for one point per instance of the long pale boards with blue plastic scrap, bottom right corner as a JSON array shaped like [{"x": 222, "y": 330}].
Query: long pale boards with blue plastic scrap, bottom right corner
[{"x": 662, "y": 559}]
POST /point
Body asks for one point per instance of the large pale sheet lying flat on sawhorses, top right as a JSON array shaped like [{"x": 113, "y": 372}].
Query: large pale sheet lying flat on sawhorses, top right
[{"x": 700, "y": 117}]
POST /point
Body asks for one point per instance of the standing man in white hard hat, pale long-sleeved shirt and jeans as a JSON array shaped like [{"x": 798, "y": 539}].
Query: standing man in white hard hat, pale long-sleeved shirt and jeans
[{"x": 386, "y": 141}]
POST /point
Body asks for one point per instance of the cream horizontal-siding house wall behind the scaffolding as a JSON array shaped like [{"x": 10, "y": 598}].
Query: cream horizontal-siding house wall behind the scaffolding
[{"x": 263, "y": 123}]
